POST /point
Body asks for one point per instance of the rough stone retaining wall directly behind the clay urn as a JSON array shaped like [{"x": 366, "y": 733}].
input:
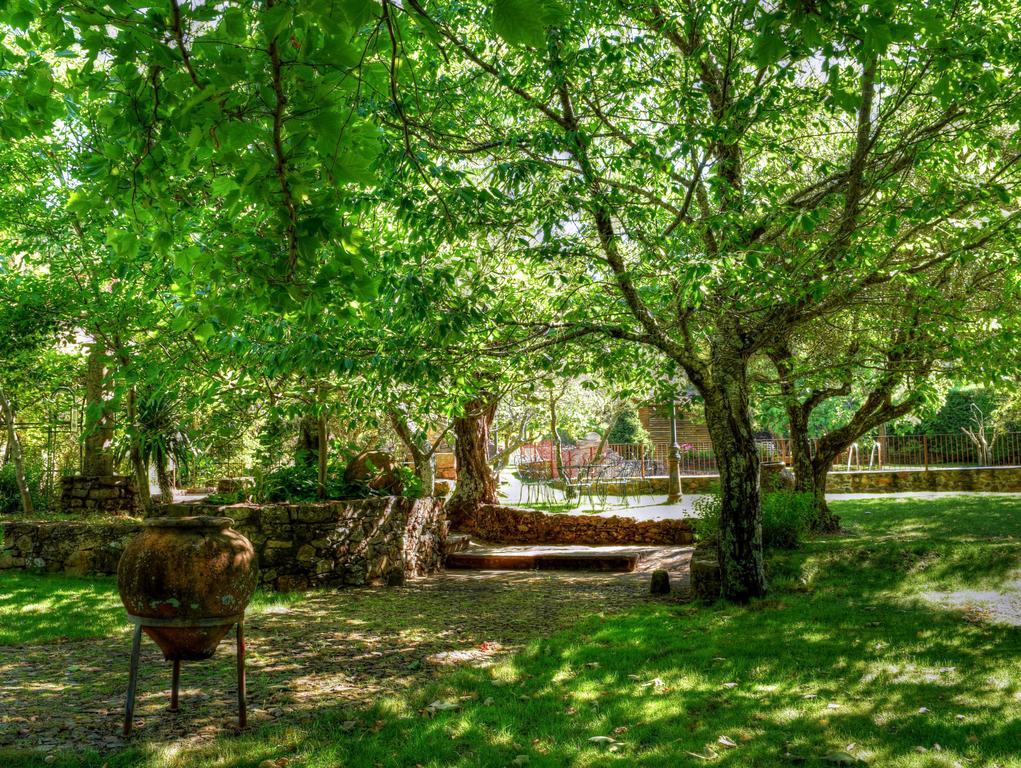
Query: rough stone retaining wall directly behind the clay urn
[{"x": 385, "y": 540}]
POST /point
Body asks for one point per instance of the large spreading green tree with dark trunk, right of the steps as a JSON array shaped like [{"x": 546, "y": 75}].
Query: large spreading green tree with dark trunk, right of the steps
[{"x": 709, "y": 178}]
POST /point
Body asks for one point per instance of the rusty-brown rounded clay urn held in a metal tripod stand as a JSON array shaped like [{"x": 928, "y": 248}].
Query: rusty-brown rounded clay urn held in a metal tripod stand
[{"x": 188, "y": 569}]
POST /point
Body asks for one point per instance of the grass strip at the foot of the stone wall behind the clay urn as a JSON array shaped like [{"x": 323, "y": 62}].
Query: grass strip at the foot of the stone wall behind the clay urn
[{"x": 53, "y": 608}]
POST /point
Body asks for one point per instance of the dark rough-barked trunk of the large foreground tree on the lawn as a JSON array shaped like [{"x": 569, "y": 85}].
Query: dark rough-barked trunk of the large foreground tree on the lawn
[{"x": 743, "y": 574}]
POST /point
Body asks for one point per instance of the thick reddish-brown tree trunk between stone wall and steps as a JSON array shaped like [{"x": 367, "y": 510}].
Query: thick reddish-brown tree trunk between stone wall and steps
[{"x": 476, "y": 485}]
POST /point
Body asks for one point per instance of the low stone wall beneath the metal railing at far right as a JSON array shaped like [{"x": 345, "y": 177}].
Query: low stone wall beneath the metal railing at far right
[{"x": 994, "y": 479}]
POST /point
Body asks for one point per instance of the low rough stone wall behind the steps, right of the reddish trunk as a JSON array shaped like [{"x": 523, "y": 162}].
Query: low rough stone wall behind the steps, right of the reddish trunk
[{"x": 507, "y": 525}]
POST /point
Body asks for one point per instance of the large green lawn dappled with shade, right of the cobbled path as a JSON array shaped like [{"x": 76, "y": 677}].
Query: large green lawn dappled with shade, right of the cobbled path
[{"x": 852, "y": 658}]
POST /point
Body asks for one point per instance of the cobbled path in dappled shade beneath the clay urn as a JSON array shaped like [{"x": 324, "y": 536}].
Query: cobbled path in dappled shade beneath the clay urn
[{"x": 332, "y": 648}]
